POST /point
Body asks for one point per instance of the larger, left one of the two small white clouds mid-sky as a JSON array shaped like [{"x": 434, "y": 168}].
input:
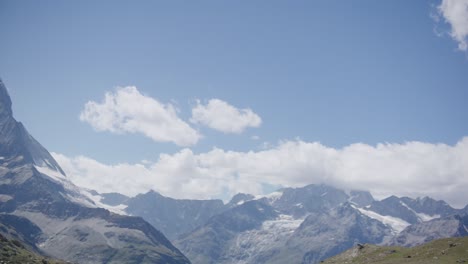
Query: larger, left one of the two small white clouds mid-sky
[{"x": 128, "y": 111}]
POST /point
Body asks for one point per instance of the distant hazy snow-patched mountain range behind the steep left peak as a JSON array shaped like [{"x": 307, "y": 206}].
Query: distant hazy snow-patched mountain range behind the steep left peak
[{"x": 301, "y": 225}]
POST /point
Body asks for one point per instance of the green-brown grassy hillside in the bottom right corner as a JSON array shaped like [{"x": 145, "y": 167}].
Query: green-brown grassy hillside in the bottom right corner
[{"x": 448, "y": 250}]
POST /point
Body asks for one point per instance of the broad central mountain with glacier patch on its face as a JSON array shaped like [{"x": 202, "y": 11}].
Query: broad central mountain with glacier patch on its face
[{"x": 292, "y": 225}]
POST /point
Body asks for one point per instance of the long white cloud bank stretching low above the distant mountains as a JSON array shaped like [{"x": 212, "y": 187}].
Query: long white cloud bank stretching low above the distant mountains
[{"x": 410, "y": 169}]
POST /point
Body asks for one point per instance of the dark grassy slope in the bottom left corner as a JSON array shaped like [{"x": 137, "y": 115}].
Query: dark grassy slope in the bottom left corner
[{"x": 13, "y": 251}]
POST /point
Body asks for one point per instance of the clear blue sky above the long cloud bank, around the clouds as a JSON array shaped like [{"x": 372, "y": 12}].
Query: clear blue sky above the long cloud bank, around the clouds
[{"x": 334, "y": 72}]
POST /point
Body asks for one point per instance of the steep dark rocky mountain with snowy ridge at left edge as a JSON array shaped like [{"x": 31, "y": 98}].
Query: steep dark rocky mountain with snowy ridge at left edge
[{"x": 50, "y": 215}]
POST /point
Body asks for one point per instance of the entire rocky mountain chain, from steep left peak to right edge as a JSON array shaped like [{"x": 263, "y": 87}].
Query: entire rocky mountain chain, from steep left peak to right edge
[{"x": 49, "y": 215}]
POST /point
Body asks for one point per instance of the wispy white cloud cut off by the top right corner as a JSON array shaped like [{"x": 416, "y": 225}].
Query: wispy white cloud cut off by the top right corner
[{"x": 455, "y": 13}]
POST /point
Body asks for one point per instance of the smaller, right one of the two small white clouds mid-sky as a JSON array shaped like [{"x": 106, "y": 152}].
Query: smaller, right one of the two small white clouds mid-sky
[{"x": 219, "y": 115}]
